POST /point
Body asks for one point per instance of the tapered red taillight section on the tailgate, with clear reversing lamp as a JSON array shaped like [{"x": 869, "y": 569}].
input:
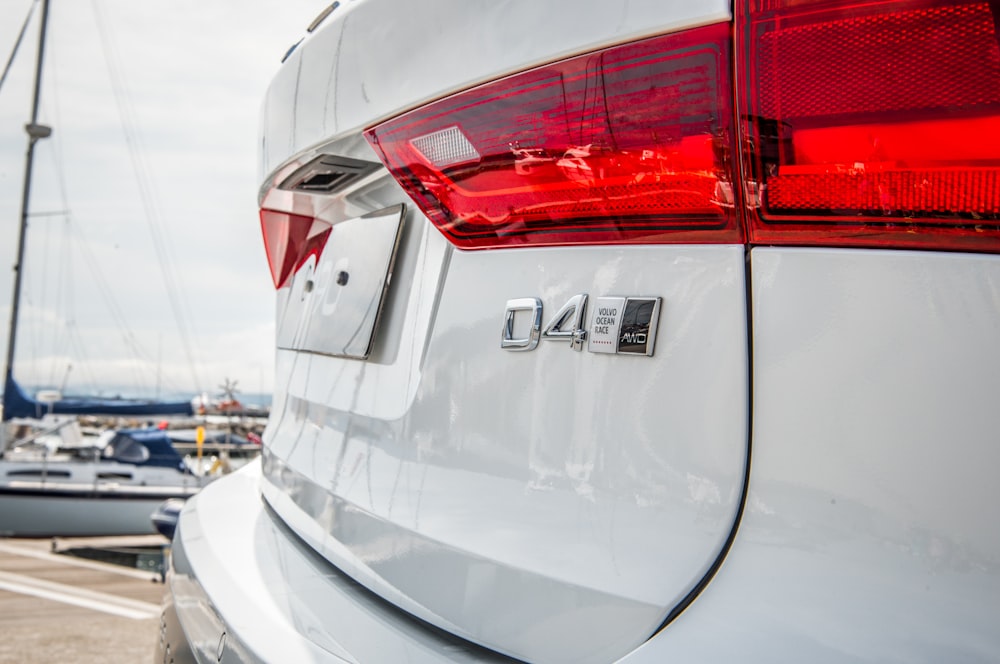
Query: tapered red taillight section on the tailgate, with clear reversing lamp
[{"x": 624, "y": 145}]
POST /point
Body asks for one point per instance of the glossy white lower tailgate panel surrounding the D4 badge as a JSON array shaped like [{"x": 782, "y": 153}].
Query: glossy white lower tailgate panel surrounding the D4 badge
[{"x": 550, "y": 504}]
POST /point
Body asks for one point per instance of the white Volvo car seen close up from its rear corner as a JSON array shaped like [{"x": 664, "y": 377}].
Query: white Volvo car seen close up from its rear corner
[{"x": 714, "y": 378}]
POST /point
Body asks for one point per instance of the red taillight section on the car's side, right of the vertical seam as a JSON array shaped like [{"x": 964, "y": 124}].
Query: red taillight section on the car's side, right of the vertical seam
[{"x": 872, "y": 123}]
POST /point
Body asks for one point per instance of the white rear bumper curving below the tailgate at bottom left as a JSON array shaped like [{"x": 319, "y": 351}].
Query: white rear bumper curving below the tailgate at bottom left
[{"x": 242, "y": 587}]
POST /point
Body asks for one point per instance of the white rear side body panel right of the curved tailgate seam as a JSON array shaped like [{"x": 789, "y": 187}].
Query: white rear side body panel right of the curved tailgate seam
[{"x": 869, "y": 533}]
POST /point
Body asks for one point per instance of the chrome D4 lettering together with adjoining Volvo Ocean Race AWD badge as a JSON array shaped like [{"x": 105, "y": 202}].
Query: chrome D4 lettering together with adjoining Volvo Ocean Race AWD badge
[{"x": 617, "y": 325}]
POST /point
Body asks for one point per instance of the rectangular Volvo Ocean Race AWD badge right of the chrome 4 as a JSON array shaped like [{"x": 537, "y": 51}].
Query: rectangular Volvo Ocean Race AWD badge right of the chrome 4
[{"x": 623, "y": 325}]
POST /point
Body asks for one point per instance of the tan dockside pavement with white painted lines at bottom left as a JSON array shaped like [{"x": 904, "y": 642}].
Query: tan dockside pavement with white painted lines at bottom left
[{"x": 60, "y": 608}]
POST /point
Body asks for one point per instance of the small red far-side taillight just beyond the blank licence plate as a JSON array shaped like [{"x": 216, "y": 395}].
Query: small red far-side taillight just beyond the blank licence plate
[{"x": 289, "y": 240}]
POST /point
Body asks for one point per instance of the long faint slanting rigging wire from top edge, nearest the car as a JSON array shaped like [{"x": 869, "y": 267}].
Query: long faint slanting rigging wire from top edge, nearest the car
[{"x": 146, "y": 192}]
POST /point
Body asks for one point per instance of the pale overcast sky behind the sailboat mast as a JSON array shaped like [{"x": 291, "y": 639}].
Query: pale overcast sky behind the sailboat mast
[{"x": 191, "y": 75}]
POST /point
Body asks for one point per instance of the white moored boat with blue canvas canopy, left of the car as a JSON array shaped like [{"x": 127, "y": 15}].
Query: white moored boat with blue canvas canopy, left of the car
[{"x": 59, "y": 483}]
